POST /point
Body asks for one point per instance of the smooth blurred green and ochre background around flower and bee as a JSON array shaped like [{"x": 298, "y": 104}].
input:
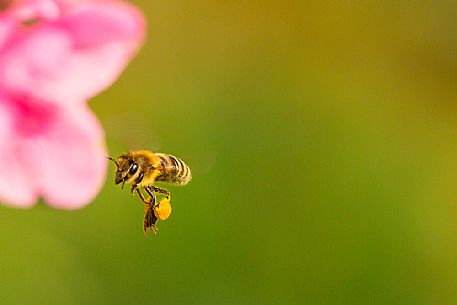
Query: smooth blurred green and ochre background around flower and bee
[{"x": 323, "y": 142}]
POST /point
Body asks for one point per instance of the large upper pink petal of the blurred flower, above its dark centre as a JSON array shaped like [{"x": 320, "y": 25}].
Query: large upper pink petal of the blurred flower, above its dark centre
[{"x": 76, "y": 55}]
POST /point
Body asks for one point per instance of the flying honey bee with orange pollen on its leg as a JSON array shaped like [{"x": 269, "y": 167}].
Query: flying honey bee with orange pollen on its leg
[{"x": 141, "y": 169}]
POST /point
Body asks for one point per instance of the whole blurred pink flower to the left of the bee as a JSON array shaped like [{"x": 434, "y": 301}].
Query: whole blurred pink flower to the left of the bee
[{"x": 54, "y": 55}]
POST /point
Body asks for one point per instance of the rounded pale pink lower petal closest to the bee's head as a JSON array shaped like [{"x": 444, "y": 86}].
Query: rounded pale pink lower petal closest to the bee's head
[{"x": 72, "y": 160}]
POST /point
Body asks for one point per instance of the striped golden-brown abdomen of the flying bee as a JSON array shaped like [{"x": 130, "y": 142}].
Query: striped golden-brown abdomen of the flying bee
[{"x": 173, "y": 170}]
